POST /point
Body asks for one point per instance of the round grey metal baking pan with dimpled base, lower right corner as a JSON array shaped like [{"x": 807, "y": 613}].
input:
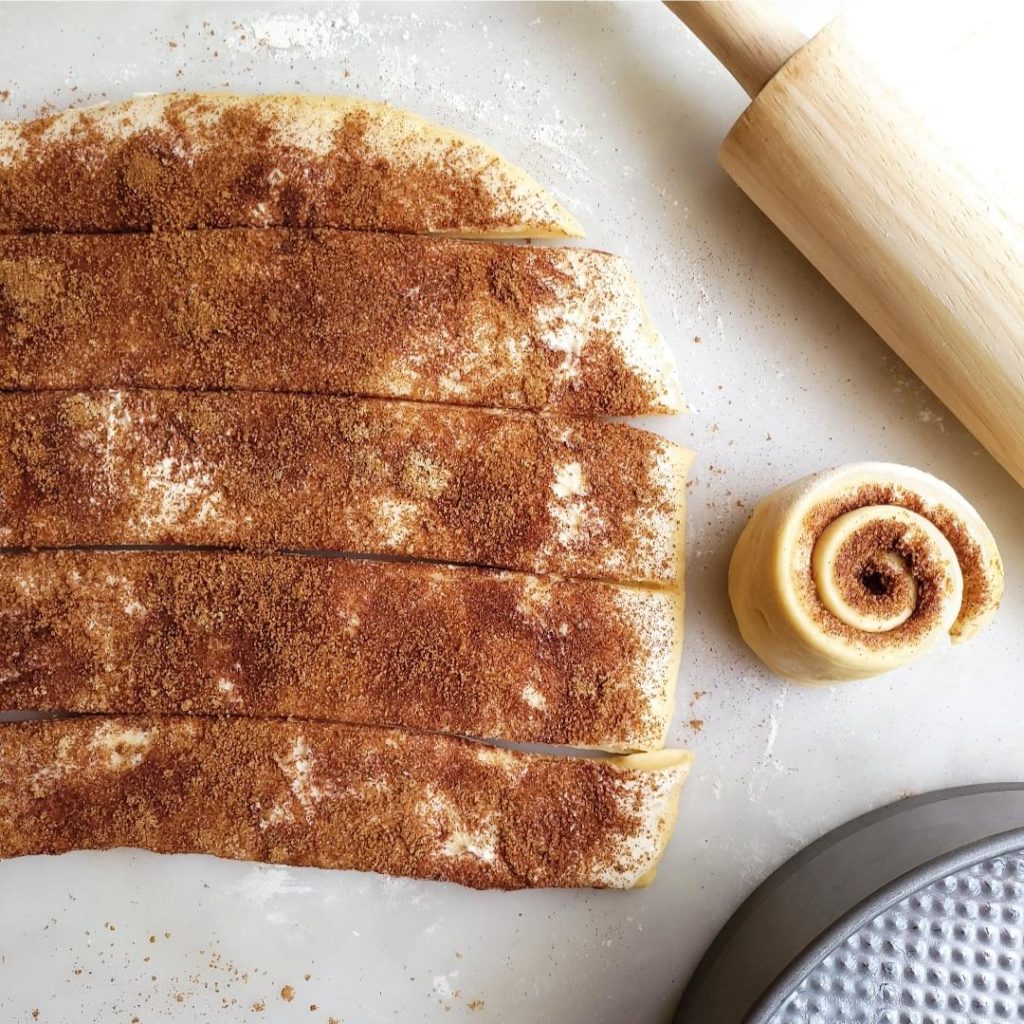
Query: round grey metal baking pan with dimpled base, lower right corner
[{"x": 913, "y": 913}]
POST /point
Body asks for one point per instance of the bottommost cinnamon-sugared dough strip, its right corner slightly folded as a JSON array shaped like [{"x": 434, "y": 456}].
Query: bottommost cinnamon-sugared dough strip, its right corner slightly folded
[{"x": 338, "y": 797}]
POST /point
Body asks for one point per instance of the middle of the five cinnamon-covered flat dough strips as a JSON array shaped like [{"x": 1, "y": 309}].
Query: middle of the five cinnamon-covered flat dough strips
[{"x": 282, "y": 472}]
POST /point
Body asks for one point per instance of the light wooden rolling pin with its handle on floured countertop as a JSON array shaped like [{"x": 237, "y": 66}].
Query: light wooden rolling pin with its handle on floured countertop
[{"x": 917, "y": 244}]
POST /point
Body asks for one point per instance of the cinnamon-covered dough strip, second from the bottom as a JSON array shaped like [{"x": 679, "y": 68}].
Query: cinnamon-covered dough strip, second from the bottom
[{"x": 471, "y": 652}]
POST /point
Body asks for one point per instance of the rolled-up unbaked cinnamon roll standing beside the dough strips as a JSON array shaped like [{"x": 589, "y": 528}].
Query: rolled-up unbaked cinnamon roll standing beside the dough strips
[{"x": 858, "y": 571}]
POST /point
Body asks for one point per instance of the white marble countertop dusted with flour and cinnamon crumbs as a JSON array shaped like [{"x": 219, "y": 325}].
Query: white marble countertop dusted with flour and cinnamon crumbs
[{"x": 620, "y": 111}]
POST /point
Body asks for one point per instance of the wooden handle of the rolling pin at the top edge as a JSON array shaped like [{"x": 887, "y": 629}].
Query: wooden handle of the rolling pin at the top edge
[{"x": 751, "y": 40}]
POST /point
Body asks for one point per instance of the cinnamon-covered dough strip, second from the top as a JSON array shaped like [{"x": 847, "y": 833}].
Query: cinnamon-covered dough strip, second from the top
[{"x": 346, "y": 313}]
